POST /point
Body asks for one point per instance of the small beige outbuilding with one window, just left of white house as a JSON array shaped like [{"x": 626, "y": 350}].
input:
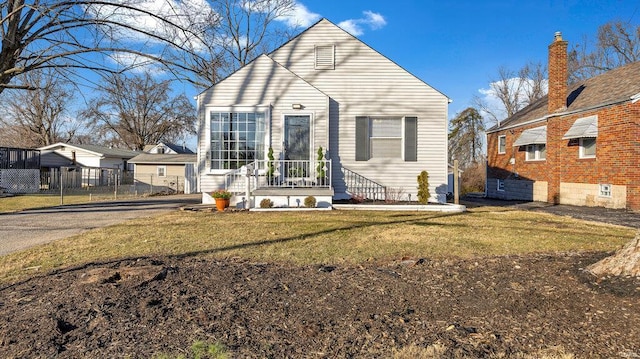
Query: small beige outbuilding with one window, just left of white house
[{"x": 155, "y": 173}]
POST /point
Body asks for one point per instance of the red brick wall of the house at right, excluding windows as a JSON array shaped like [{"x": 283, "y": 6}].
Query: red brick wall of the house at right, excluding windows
[{"x": 617, "y": 154}]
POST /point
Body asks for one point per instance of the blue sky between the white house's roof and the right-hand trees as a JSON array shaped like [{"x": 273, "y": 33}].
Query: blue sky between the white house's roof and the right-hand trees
[{"x": 457, "y": 46}]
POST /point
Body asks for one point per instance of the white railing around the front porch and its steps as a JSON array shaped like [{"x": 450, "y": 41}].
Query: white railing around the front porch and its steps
[{"x": 280, "y": 174}]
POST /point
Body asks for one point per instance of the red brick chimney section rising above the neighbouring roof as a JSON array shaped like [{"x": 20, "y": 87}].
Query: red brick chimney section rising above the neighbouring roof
[{"x": 558, "y": 74}]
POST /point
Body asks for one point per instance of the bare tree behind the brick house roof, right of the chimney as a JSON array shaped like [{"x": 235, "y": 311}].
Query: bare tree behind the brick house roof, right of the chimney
[{"x": 617, "y": 44}]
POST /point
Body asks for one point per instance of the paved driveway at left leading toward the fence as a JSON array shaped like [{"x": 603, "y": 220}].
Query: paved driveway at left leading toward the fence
[{"x": 29, "y": 228}]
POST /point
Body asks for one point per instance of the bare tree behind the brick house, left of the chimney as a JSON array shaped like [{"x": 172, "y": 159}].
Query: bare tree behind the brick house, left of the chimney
[{"x": 512, "y": 91}]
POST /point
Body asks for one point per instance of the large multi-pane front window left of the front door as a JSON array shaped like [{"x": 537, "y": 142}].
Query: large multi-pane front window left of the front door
[{"x": 237, "y": 138}]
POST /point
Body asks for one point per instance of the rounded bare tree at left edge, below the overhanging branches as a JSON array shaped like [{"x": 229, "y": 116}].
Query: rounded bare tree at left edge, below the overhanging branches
[{"x": 40, "y": 117}]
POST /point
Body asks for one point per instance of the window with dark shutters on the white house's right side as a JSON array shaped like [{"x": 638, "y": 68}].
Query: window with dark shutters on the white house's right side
[{"x": 380, "y": 137}]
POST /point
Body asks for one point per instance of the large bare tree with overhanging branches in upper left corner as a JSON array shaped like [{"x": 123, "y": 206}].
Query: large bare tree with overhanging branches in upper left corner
[{"x": 70, "y": 35}]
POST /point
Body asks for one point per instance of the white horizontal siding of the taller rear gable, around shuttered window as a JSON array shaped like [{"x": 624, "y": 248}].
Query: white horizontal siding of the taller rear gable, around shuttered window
[{"x": 365, "y": 83}]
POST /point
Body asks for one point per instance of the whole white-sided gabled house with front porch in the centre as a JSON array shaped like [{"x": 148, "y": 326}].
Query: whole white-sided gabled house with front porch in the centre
[{"x": 377, "y": 125}]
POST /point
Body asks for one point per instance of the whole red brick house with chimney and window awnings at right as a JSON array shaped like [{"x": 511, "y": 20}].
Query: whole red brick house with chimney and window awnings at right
[{"x": 578, "y": 145}]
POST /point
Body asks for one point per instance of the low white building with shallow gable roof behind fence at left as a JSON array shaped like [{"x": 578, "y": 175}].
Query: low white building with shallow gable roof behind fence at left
[{"x": 66, "y": 154}]
